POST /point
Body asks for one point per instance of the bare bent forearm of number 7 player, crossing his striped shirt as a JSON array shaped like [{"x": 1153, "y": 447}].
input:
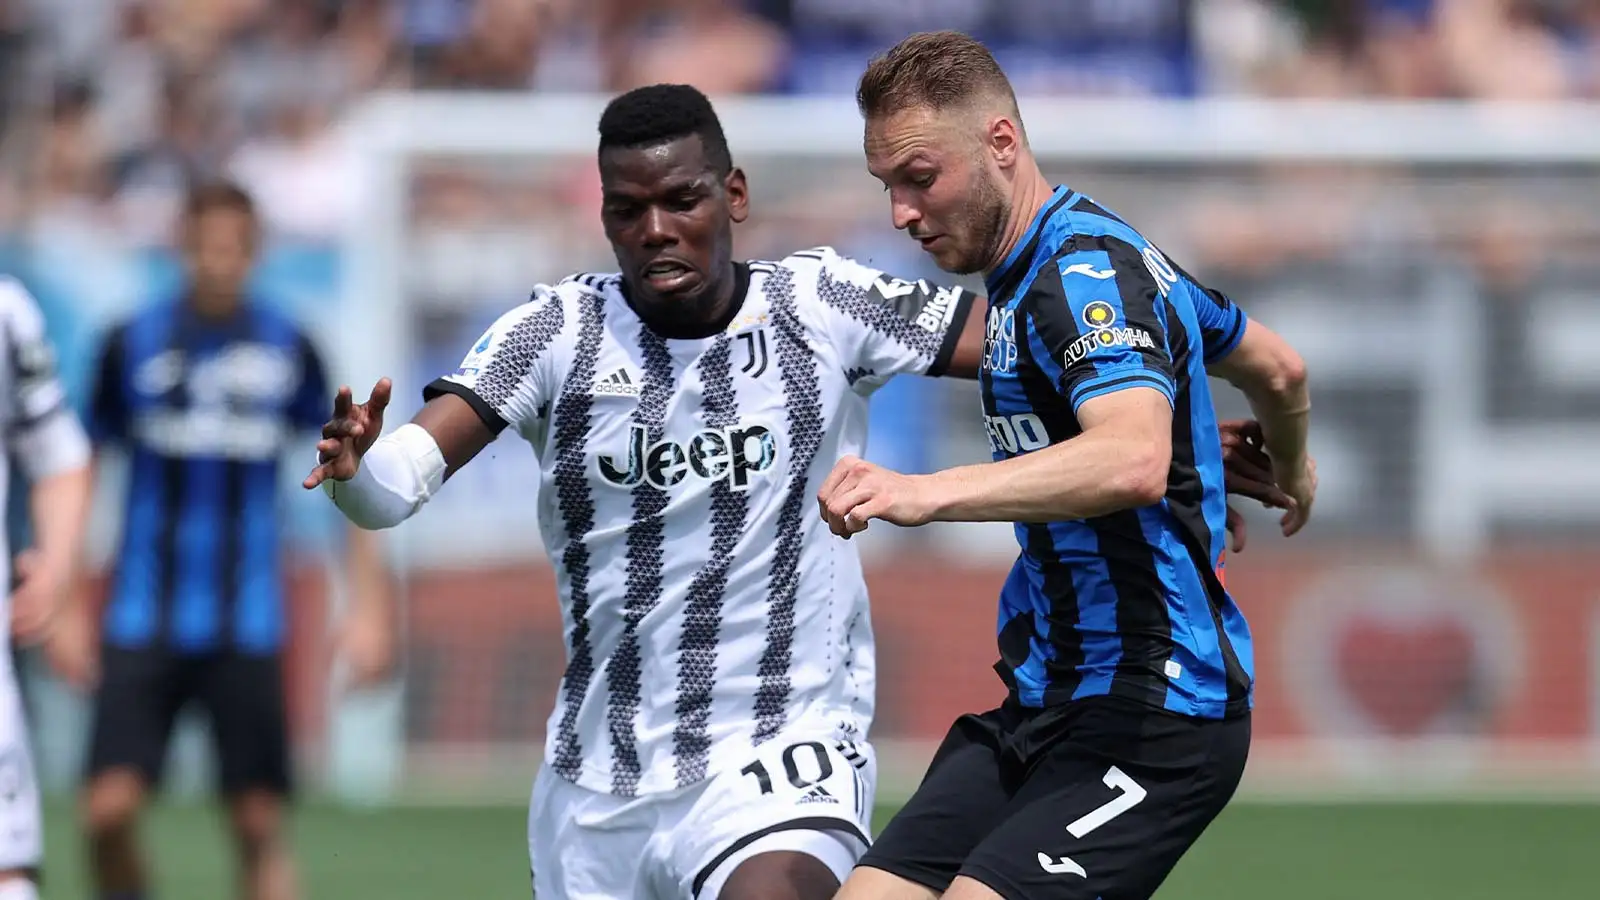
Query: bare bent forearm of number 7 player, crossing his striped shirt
[{"x": 1092, "y": 475}]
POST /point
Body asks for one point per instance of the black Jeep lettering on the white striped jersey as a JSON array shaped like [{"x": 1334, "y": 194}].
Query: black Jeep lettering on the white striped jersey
[{"x": 732, "y": 454}]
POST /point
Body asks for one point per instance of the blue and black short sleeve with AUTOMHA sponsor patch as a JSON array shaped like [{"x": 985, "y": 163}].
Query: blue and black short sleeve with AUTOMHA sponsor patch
[{"x": 1097, "y": 321}]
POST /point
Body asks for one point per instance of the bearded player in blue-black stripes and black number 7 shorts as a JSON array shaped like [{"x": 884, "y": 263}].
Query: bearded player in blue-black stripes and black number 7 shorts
[{"x": 1129, "y": 665}]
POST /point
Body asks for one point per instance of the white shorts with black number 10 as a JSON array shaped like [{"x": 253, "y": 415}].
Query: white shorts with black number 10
[{"x": 807, "y": 790}]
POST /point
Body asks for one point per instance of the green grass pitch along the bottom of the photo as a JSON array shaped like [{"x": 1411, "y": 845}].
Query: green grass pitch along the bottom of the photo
[{"x": 1254, "y": 853}]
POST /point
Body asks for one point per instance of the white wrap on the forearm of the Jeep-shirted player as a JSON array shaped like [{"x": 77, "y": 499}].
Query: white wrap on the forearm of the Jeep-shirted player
[{"x": 396, "y": 480}]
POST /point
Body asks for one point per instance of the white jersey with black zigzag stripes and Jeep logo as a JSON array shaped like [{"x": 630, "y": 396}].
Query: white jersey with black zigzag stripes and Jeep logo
[{"x": 705, "y": 601}]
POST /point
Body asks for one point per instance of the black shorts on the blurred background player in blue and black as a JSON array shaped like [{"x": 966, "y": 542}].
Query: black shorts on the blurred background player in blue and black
[{"x": 143, "y": 691}]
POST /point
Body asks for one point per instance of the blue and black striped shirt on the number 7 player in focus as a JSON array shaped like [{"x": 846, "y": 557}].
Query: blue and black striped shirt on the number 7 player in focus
[{"x": 1129, "y": 605}]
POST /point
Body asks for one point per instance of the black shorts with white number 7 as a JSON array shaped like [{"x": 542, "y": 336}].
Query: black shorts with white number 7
[{"x": 1095, "y": 800}]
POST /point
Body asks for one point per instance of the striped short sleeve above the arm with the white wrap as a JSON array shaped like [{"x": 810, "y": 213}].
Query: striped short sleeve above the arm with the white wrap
[{"x": 505, "y": 376}]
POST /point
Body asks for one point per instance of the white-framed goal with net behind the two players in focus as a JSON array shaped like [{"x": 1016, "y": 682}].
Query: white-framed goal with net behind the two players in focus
[{"x": 1436, "y": 627}]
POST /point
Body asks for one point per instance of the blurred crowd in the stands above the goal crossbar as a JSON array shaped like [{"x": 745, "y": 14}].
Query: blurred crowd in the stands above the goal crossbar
[{"x": 113, "y": 103}]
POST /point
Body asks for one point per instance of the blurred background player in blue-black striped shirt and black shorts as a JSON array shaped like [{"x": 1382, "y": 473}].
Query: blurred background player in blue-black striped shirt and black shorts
[{"x": 204, "y": 393}]
